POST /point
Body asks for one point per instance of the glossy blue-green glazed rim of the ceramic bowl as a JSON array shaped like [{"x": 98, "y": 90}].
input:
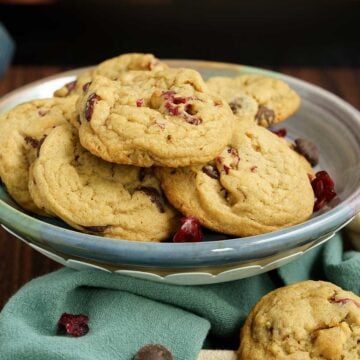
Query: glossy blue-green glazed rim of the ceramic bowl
[{"x": 209, "y": 253}]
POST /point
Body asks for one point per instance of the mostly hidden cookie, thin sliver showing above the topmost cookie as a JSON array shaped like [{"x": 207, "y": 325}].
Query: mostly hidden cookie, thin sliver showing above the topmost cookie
[{"x": 111, "y": 69}]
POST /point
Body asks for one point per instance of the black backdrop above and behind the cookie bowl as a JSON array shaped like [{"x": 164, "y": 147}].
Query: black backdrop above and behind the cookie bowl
[{"x": 253, "y": 32}]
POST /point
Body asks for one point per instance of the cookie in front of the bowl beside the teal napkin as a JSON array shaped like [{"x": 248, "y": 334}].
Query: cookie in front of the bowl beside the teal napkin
[{"x": 307, "y": 320}]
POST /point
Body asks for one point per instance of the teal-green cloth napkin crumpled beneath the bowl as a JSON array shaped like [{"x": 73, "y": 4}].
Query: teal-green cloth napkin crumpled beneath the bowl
[{"x": 126, "y": 313}]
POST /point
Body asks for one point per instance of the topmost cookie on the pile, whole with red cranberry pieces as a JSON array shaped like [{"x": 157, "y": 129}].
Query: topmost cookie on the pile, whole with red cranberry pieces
[{"x": 165, "y": 118}]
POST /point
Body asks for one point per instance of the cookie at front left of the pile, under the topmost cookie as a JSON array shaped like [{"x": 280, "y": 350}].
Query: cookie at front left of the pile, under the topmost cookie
[{"x": 98, "y": 197}]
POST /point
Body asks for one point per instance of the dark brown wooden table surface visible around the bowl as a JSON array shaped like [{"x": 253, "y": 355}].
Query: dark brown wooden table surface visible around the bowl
[{"x": 19, "y": 263}]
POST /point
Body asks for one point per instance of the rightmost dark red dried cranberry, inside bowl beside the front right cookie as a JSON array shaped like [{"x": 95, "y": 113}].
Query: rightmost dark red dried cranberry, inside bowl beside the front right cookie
[{"x": 323, "y": 187}]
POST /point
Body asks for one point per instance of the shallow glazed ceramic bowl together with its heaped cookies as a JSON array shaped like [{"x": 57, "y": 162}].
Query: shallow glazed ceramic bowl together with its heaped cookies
[{"x": 178, "y": 171}]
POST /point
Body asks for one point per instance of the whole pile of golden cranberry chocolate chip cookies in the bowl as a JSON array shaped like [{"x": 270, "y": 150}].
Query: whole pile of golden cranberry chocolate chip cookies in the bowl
[{"x": 131, "y": 145}]
